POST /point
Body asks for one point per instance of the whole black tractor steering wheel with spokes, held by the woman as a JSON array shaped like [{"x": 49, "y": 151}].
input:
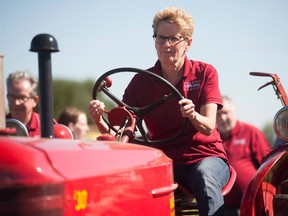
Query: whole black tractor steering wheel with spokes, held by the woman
[{"x": 103, "y": 83}]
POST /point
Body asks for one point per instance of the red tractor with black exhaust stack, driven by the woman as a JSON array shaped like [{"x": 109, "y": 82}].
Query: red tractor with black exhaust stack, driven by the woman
[{"x": 111, "y": 176}]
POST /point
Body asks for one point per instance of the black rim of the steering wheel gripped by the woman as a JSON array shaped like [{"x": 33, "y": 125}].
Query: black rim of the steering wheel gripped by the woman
[{"x": 100, "y": 86}]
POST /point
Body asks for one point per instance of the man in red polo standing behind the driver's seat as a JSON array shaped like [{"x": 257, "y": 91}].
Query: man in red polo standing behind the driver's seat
[{"x": 245, "y": 146}]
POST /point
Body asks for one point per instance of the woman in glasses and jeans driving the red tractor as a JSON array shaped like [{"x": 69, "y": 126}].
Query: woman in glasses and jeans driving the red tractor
[{"x": 199, "y": 158}]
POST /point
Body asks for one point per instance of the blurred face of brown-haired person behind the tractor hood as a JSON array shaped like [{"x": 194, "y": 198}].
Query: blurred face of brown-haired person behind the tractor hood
[{"x": 80, "y": 128}]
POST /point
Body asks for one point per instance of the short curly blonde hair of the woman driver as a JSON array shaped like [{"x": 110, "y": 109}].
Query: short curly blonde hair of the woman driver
[{"x": 176, "y": 16}]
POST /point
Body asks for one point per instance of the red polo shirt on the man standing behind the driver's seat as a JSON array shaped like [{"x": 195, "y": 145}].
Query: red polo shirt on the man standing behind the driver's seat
[{"x": 245, "y": 148}]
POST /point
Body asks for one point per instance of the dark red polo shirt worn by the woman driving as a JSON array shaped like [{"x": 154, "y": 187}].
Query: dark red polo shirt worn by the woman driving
[{"x": 200, "y": 84}]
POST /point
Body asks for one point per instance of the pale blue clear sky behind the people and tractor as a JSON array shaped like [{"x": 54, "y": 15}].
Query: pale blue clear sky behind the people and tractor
[{"x": 93, "y": 37}]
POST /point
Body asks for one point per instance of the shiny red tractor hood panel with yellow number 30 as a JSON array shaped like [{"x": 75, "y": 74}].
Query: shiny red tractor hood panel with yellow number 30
[{"x": 70, "y": 177}]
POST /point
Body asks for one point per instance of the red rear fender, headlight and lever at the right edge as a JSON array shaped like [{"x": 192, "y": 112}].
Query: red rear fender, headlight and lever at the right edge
[{"x": 267, "y": 193}]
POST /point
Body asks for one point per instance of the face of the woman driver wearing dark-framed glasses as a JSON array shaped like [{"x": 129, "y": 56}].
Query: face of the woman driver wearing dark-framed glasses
[{"x": 171, "y": 53}]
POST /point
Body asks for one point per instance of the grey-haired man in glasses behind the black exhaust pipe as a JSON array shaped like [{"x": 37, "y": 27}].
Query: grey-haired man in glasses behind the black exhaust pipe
[{"x": 22, "y": 96}]
